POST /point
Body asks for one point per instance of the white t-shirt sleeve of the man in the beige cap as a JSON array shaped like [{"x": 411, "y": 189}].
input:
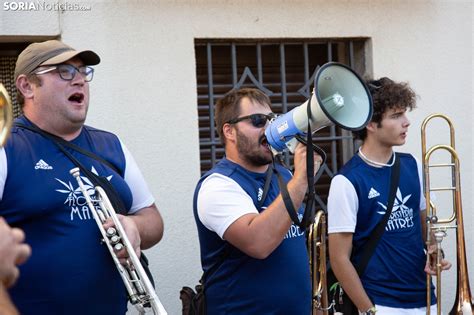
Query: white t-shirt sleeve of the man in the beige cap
[{"x": 142, "y": 196}]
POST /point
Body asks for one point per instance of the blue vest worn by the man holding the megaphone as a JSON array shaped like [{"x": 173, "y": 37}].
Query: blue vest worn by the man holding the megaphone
[{"x": 279, "y": 284}]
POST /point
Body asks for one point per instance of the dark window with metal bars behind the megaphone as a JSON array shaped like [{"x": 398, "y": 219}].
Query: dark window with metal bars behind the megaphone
[{"x": 285, "y": 71}]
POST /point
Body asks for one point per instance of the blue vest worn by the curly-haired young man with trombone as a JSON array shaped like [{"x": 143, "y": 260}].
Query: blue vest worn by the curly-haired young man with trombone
[{"x": 394, "y": 276}]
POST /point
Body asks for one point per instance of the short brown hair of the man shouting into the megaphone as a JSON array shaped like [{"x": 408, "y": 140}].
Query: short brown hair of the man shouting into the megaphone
[{"x": 228, "y": 107}]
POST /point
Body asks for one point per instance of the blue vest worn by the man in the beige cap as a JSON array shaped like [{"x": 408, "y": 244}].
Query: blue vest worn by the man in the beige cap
[{"x": 70, "y": 271}]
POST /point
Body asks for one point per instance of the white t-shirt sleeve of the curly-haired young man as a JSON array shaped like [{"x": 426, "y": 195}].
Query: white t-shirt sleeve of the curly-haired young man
[{"x": 343, "y": 204}]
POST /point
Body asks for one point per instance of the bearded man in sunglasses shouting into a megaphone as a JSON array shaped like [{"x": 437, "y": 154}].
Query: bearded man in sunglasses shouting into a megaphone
[{"x": 254, "y": 259}]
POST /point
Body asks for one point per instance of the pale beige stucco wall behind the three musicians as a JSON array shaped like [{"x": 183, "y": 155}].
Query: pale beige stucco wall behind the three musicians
[{"x": 145, "y": 87}]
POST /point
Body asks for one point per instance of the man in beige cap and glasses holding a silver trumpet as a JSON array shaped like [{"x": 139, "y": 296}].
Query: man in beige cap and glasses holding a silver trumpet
[{"x": 70, "y": 271}]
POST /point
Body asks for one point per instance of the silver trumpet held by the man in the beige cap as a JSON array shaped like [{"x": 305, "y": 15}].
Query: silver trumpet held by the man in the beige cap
[{"x": 140, "y": 291}]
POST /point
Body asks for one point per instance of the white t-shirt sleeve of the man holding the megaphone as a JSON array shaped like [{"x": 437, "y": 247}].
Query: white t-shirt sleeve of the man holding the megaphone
[{"x": 221, "y": 201}]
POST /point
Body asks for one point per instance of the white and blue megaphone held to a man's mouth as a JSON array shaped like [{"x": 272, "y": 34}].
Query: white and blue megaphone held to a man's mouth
[{"x": 340, "y": 98}]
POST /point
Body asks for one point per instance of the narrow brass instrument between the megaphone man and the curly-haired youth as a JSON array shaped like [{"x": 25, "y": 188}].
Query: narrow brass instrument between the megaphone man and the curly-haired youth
[{"x": 316, "y": 242}]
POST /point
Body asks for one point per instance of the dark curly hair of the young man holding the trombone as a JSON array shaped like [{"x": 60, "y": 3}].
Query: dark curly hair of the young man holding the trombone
[{"x": 386, "y": 95}]
